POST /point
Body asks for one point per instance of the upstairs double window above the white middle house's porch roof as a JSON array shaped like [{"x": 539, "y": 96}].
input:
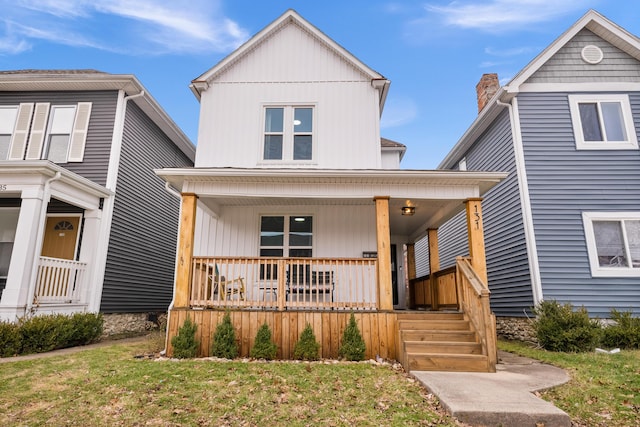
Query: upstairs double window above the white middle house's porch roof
[{"x": 288, "y": 133}]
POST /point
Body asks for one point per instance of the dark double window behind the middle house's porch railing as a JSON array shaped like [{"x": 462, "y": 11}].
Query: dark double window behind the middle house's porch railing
[{"x": 286, "y": 235}]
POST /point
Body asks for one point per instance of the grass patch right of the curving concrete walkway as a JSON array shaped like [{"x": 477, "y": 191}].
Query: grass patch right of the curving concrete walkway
[{"x": 604, "y": 389}]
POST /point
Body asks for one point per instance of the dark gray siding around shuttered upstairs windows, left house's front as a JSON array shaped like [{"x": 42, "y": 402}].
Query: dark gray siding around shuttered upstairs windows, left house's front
[{"x": 98, "y": 146}]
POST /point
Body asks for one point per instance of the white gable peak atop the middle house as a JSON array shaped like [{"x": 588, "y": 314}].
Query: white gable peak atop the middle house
[{"x": 286, "y": 40}]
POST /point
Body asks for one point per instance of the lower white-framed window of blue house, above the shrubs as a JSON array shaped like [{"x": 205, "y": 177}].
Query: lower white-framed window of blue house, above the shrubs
[{"x": 613, "y": 243}]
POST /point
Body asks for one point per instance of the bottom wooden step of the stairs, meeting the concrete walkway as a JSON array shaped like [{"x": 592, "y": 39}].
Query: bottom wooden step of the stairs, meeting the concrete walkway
[{"x": 447, "y": 362}]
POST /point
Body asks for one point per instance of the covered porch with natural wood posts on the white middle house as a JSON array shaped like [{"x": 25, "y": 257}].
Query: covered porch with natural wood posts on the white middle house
[{"x": 358, "y": 217}]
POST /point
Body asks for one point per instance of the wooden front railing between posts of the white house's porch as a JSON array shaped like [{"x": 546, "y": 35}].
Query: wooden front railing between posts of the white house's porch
[{"x": 284, "y": 283}]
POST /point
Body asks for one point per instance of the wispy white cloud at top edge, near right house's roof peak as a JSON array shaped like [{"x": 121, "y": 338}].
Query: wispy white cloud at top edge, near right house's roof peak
[{"x": 503, "y": 15}]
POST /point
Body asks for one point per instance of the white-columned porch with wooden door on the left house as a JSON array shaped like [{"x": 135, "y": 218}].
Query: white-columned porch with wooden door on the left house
[{"x": 51, "y": 223}]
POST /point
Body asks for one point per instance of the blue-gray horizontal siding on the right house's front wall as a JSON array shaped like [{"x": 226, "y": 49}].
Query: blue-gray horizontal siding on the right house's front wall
[{"x": 563, "y": 183}]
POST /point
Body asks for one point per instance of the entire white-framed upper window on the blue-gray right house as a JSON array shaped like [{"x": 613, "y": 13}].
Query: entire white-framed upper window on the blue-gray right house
[{"x": 602, "y": 122}]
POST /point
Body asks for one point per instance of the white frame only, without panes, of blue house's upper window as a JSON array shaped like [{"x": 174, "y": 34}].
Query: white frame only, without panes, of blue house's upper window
[{"x": 625, "y": 106}]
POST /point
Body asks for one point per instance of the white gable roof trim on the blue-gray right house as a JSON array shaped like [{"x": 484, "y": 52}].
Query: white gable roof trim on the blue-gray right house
[{"x": 597, "y": 24}]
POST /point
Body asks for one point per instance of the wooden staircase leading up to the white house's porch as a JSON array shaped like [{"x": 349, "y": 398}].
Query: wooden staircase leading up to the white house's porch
[{"x": 440, "y": 341}]
